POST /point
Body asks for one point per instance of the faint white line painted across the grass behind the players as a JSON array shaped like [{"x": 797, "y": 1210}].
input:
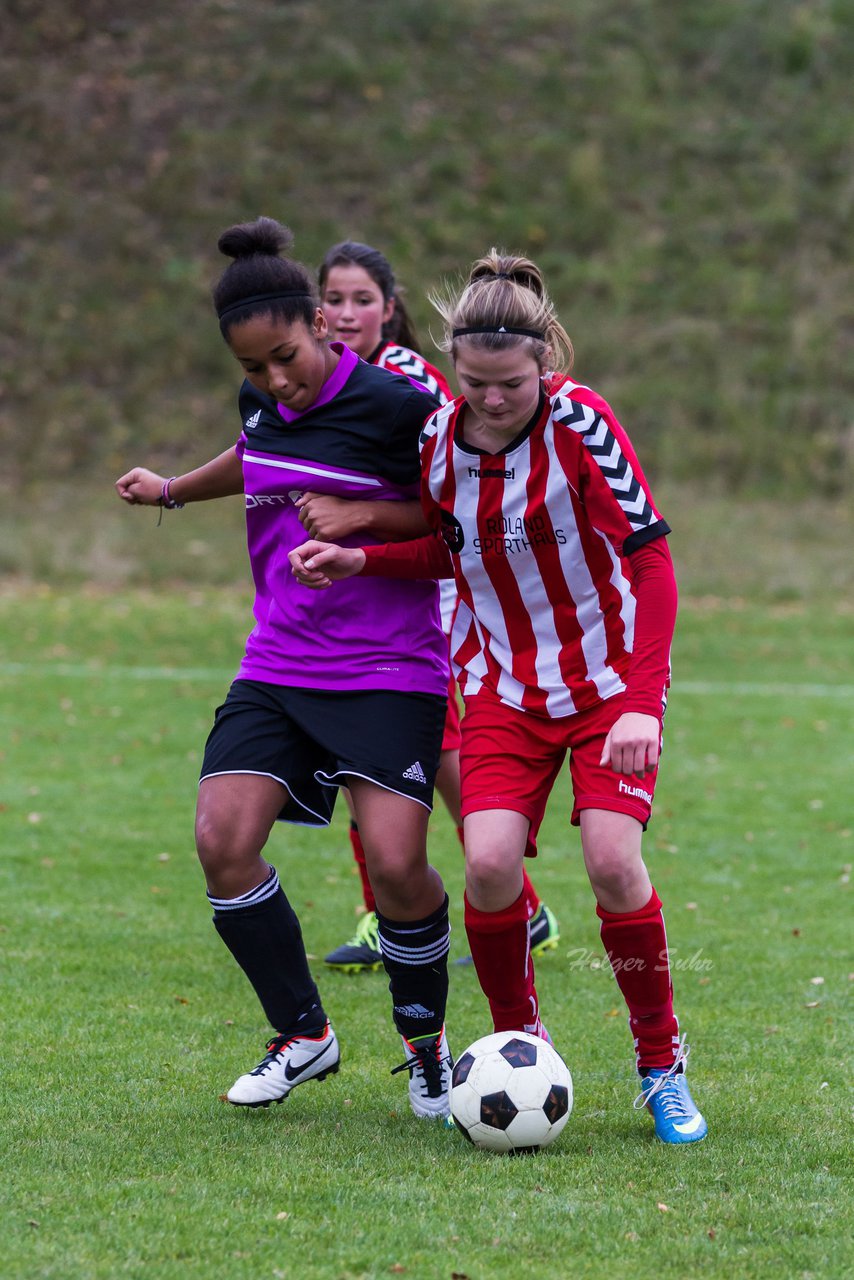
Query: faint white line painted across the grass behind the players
[{"x": 700, "y": 688}]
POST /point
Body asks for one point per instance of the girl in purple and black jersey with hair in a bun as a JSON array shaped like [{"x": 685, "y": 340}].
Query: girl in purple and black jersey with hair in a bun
[{"x": 293, "y": 728}]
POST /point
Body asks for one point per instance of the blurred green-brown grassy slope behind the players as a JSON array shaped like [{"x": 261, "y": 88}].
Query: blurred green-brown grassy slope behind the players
[{"x": 684, "y": 173}]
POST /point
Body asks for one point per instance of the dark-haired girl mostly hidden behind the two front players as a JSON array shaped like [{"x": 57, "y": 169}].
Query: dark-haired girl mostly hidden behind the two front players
[{"x": 364, "y": 308}]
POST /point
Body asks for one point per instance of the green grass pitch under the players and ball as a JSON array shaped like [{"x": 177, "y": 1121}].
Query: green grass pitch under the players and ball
[{"x": 125, "y": 1020}]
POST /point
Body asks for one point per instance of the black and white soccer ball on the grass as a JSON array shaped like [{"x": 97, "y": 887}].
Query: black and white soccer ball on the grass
[{"x": 512, "y": 1092}]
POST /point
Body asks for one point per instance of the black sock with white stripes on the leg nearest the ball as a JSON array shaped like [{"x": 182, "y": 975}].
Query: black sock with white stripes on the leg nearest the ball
[{"x": 415, "y": 954}]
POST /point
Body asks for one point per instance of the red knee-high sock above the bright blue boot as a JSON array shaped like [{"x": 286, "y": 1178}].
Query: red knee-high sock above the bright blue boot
[{"x": 637, "y": 948}]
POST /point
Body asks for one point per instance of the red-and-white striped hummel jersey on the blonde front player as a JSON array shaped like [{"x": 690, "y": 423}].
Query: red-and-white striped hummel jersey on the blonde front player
[{"x": 540, "y": 538}]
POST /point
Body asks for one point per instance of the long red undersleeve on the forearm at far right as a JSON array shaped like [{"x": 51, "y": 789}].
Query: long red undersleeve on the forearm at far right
[{"x": 655, "y": 619}]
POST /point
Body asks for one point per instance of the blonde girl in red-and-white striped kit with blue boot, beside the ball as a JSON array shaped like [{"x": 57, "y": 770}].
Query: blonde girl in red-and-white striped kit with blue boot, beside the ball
[{"x": 561, "y": 643}]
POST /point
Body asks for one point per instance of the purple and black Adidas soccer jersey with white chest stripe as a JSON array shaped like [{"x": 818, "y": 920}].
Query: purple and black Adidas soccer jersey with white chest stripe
[{"x": 358, "y": 441}]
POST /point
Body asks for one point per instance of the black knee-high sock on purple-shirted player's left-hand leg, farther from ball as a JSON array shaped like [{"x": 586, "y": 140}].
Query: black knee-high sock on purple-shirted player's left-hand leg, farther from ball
[{"x": 262, "y": 931}]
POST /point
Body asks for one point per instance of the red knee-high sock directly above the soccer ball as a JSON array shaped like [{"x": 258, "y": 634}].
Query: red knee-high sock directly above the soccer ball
[{"x": 501, "y": 950}]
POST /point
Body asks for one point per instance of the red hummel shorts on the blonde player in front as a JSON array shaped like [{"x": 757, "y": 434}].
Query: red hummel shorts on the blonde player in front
[{"x": 510, "y": 760}]
